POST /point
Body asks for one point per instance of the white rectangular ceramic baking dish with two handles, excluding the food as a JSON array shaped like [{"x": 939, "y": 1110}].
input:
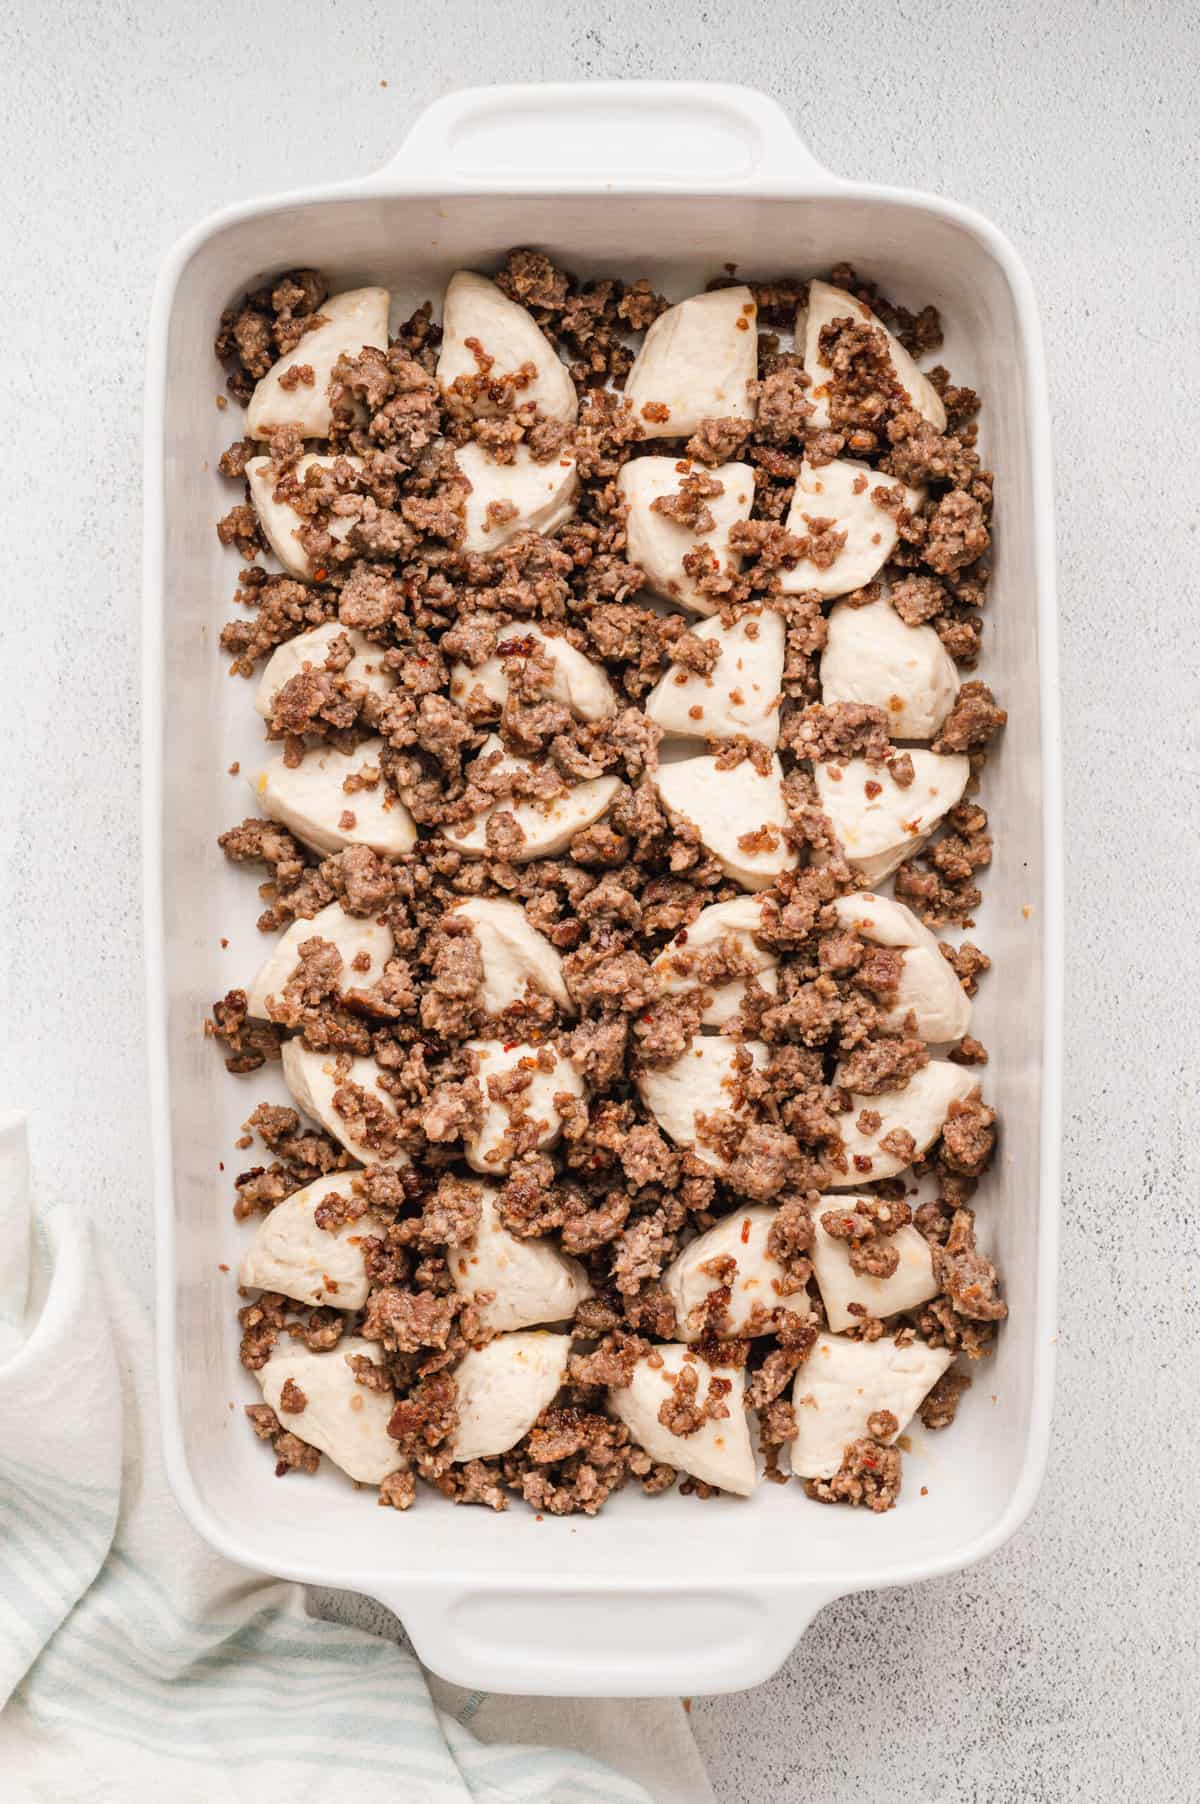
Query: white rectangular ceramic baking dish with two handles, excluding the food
[{"x": 665, "y": 1596}]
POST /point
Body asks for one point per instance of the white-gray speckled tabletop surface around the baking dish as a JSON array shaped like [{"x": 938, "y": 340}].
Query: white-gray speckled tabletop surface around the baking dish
[{"x": 1067, "y": 1666}]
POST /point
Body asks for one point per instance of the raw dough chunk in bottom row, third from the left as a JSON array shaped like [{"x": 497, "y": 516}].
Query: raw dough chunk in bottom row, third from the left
[{"x": 719, "y": 1453}]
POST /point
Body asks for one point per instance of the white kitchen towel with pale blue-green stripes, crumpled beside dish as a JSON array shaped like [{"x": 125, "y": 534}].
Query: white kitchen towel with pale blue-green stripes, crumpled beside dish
[{"x": 136, "y": 1661}]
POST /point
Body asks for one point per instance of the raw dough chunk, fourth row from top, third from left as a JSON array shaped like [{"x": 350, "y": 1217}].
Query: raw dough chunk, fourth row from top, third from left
[{"x": 737, "y": 813}]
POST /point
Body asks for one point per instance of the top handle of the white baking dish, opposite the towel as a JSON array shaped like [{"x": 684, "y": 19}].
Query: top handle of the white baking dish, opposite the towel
[{"x": 636, "y": 136}]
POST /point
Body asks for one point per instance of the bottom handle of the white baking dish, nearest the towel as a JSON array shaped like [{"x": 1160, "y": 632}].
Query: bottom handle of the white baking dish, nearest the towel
[{"x": 598, "y": 1641}]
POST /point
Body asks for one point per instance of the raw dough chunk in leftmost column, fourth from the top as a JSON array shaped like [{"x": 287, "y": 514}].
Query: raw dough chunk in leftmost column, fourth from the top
[{"x": 313, "y": 802}]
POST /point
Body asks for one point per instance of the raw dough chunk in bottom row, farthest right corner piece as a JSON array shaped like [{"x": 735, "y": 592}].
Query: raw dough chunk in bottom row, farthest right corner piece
[{"x": 844, "y": 1383}]
